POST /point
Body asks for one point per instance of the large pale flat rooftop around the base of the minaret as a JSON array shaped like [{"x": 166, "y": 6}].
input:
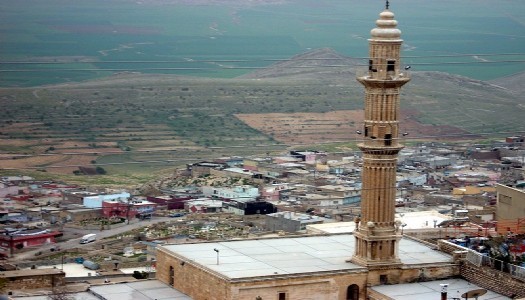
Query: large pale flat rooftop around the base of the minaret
[{"x": 289, "y": 256}]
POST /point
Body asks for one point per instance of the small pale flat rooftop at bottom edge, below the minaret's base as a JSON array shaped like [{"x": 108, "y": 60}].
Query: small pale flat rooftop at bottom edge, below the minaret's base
[{"x": 432, "y": 290}]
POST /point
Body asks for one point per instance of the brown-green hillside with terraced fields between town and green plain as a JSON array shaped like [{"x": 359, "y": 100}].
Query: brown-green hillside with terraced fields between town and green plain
[{"x": 136, "y": 124}]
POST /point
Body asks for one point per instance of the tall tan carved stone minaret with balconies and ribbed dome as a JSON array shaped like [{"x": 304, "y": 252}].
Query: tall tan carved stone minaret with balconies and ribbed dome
[{"x": 376, "y": 235}]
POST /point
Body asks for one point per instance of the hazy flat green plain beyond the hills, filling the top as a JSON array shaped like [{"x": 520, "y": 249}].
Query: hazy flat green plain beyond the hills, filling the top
[{"x": 81, "y": 40}]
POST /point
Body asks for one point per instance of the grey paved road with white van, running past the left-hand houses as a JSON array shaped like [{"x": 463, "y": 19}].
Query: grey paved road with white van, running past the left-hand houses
[{"x": 75, "y": 242}]
